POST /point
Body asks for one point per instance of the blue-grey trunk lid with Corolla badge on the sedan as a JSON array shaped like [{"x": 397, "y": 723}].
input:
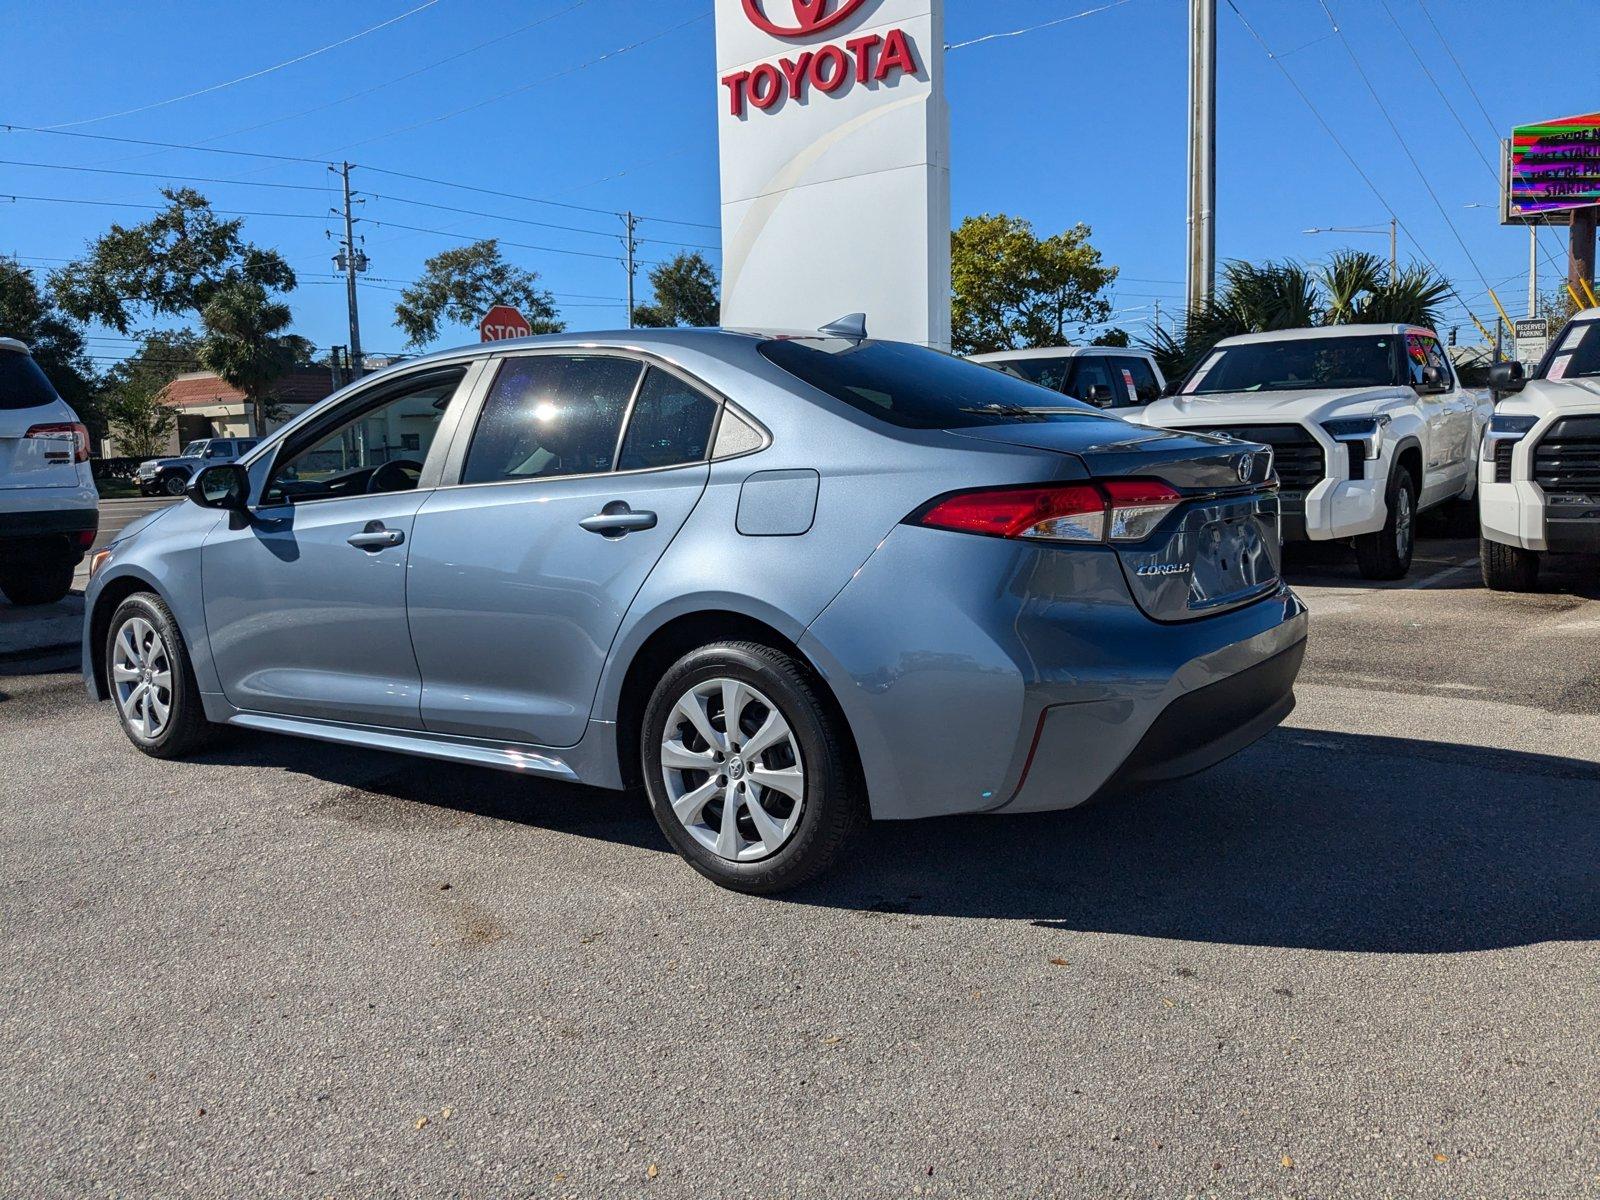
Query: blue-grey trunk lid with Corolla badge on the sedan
[{"x": 1218, "y": 550}]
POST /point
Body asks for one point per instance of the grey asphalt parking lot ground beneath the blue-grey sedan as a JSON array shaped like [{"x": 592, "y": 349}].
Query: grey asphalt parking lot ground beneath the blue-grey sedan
[{"x": 1359, "y": 959}]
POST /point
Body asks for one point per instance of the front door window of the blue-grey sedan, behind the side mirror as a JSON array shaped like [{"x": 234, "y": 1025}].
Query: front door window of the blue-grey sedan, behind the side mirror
[{"x": 382, "y": 447}]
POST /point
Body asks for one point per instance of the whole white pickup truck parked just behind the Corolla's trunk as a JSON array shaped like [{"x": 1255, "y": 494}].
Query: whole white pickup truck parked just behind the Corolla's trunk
[{"x": 1369, "y": 426}]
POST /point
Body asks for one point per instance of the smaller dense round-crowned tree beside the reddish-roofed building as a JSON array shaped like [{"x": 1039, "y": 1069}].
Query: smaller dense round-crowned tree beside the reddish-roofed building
[{"x": 246, "y": 345}]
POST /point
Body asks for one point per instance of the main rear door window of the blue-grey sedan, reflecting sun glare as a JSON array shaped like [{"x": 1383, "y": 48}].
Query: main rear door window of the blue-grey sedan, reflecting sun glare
[{"x": 551, "y": 415}]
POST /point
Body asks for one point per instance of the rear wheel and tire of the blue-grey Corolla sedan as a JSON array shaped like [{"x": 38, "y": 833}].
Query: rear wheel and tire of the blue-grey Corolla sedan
[{"x": 766, "y": 799}]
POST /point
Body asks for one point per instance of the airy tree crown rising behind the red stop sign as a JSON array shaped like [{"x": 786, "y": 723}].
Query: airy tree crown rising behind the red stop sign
[{"x": 460, "y": 286}]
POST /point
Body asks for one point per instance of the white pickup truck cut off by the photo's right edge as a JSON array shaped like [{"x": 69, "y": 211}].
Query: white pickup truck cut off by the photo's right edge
[{"x": 1540, "y": 478}]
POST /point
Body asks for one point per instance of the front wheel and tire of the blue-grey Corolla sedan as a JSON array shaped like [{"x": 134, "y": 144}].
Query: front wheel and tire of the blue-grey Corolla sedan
[{"x": 151, "y": 681}]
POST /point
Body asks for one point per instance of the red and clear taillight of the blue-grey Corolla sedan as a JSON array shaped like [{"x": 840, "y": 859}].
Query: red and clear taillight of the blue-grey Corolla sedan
[{"x": 1121, "y": 511}]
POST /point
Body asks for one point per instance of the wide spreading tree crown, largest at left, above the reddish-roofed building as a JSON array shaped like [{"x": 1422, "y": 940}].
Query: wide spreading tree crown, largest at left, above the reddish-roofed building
[{"x": 170, "y": 266}]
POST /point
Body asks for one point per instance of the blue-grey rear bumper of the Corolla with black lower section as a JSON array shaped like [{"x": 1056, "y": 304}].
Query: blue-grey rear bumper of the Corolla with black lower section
[{"x": 980, "y": 674}]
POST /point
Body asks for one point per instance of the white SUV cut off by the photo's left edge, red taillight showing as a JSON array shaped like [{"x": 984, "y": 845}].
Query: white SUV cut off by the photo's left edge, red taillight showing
[{"x": 49, "y": 505}]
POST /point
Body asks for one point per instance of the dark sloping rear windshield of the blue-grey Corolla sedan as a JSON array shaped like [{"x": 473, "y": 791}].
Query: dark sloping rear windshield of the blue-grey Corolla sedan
[{"x": 914, "y": 388}]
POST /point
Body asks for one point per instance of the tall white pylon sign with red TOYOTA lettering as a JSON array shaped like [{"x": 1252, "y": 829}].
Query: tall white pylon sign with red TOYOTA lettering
[{"x": 836, "y": 182}]
